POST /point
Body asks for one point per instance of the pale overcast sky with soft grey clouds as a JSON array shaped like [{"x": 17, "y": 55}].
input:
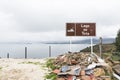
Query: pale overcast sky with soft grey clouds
[{"x": 44, "y": 20}]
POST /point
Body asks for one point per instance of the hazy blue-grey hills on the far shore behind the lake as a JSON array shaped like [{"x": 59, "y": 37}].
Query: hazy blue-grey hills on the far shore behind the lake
[{"x": 86, "y": 41}]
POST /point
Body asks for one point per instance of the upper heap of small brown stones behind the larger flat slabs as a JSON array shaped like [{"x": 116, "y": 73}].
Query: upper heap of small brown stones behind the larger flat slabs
[{"x": 76, "y": 58}]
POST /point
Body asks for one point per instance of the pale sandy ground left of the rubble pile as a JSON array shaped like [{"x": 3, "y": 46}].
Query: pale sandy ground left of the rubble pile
[{"x": 22, "y": 69}]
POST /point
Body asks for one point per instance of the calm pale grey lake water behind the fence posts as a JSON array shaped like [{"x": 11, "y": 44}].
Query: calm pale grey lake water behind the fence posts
[{"x": 38, "y": 50}]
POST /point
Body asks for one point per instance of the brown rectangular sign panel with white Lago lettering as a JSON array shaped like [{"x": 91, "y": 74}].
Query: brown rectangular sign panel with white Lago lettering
[{"x": 81, "y": 29}]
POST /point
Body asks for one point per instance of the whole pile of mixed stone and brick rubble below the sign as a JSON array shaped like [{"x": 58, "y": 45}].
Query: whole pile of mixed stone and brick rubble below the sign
[{"x": 81, "y": 66}]
